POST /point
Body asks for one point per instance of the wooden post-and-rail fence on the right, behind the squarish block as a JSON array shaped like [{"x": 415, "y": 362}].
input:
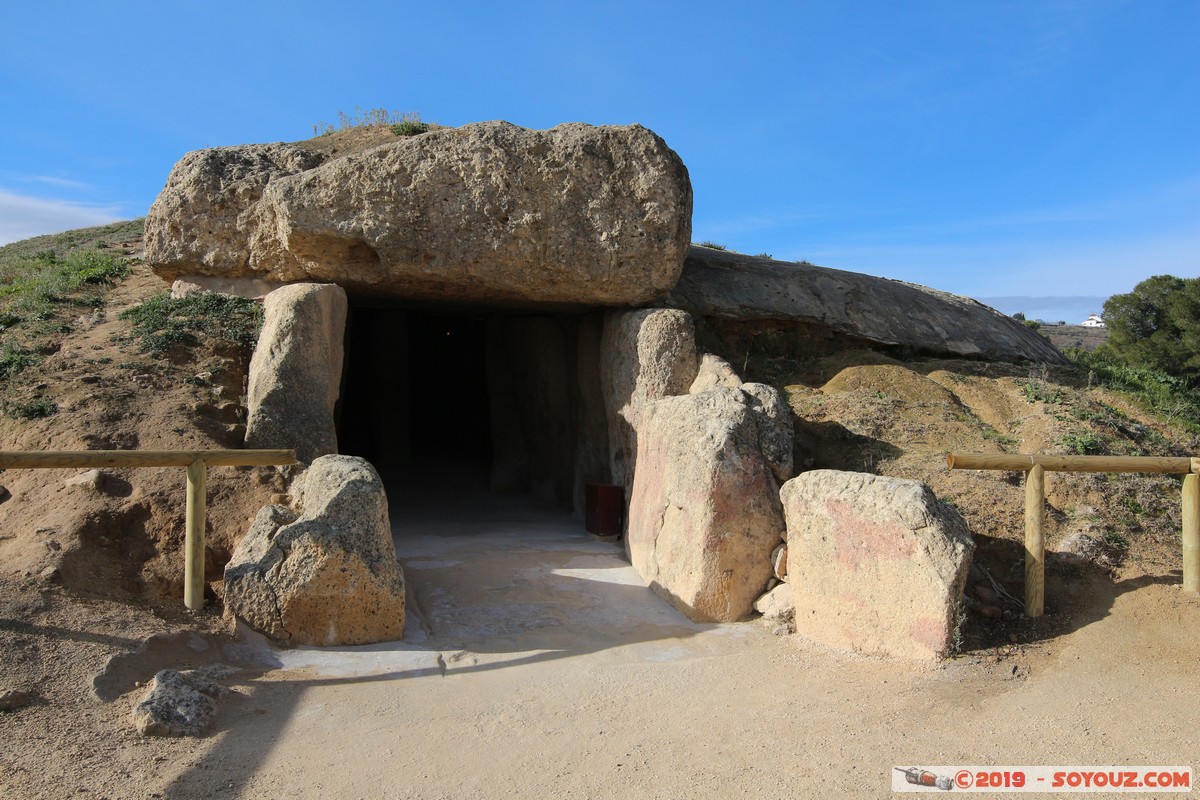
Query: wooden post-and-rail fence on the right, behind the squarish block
[{"x": 1036, "y": 467}]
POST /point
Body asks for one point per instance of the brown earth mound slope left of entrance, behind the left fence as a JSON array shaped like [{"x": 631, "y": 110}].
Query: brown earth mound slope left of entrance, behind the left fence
[{"x": 87, "y": 381}]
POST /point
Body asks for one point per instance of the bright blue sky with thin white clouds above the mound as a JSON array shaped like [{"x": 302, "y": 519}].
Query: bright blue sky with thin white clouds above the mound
[{"x": 988, "y": 148}]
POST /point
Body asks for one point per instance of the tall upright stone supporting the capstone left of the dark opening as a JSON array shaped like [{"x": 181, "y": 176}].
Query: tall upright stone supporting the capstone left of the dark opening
[{"x": 297, "y": 370}]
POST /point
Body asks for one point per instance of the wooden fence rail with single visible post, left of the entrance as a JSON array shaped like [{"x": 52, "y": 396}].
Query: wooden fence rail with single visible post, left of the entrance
[{"x": 197, "y": 464}]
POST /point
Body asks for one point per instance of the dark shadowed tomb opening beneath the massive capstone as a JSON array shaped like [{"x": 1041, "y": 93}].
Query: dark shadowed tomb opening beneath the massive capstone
[{"x": 448, "y": 404}]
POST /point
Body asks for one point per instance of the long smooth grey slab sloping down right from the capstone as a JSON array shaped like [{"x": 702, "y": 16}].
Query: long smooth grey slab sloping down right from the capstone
[{"x": 730, "y": 286}]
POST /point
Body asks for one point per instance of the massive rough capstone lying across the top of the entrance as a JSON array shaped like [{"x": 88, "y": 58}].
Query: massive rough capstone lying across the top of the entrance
[{"x": 487, "y": 213}]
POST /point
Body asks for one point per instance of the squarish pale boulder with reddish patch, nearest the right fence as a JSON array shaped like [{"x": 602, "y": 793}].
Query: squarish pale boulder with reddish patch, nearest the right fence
[{"x": 877, "y": 564}]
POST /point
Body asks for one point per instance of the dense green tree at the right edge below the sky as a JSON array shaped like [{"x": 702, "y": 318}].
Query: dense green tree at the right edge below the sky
[{"x": 1157, "y": 327}]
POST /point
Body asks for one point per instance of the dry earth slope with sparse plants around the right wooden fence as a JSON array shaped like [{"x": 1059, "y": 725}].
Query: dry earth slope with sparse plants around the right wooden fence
[{"x": 865, "y": 411}]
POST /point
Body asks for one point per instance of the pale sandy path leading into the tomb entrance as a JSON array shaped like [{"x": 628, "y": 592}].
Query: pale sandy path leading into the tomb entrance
[{"x": 536, "y": 665}]
